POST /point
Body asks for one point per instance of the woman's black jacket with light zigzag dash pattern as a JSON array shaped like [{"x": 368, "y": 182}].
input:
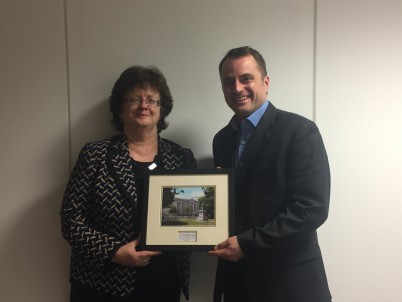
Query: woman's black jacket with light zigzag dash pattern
[{"x": 99, "y": 212}]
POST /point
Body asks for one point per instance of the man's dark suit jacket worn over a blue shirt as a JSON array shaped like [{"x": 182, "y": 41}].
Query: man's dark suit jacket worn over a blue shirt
[{"x": 282, "y": 191}]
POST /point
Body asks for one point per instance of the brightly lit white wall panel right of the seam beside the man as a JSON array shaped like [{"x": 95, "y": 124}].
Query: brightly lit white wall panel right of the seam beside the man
[{"x": 359, "y": 110}]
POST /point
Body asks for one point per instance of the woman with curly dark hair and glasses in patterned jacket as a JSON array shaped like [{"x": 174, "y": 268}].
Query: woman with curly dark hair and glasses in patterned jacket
[{"x": 100, "y": 213}]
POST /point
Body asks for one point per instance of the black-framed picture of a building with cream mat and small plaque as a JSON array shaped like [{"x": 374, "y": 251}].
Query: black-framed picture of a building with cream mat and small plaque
[{"x": 189, "y": 209}]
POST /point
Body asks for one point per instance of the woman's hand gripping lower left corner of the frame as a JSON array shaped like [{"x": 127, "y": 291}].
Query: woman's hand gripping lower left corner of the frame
[{"x": 128, "y": 255}]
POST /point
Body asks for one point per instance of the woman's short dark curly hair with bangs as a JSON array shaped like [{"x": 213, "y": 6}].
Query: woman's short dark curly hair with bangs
[{"x": 140, "y": 76}]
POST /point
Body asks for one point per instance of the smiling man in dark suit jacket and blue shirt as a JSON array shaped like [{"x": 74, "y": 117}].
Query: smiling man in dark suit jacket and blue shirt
[{"x": 282, "y": 189}]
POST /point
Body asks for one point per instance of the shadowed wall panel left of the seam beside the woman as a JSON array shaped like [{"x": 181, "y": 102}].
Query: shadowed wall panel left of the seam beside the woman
[{"x": 34, "y": 150}]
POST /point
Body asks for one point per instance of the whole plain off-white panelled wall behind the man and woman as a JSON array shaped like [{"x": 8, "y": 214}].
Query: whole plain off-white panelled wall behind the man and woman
[{"x": 337, "y": 61}]
